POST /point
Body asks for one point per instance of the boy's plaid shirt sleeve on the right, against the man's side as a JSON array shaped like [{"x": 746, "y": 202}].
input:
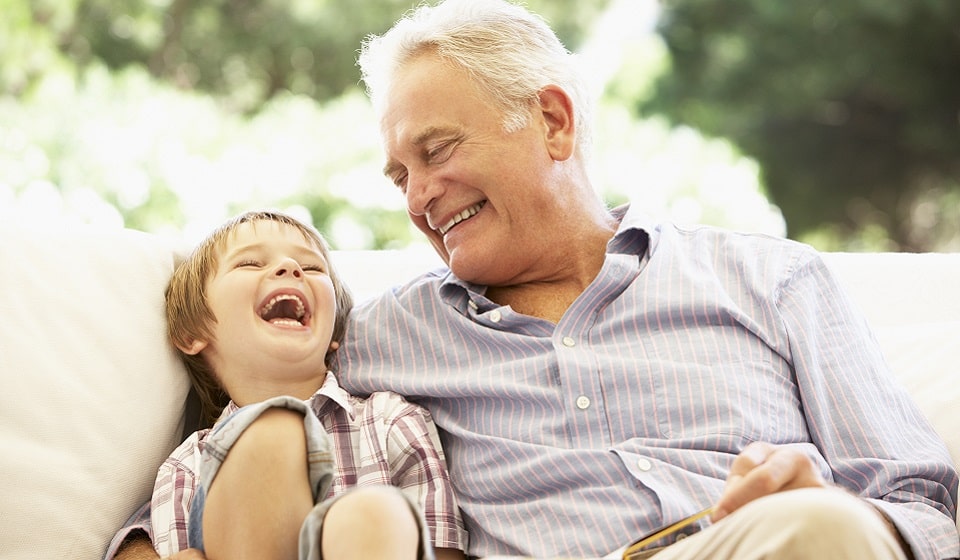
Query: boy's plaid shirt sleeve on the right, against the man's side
[{"x": 419, "y": 469}]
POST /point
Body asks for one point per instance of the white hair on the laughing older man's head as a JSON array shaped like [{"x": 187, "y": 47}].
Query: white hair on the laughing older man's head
[{"x": 510, "y": 52}]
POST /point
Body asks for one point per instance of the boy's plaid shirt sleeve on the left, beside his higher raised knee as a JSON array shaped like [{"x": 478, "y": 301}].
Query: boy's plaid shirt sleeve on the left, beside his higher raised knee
[{"x": 172, "y": 494}]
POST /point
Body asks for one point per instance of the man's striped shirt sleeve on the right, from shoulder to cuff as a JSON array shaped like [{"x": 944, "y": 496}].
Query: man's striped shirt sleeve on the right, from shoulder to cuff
[{"x": 874, "y": 438}]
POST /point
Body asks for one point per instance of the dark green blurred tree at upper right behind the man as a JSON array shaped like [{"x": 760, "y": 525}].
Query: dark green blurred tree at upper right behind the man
[{"x": 851, "y": 108}]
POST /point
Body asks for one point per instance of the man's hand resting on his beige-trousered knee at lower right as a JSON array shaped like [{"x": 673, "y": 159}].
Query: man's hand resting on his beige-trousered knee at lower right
[{"x": 762, "y": 469}]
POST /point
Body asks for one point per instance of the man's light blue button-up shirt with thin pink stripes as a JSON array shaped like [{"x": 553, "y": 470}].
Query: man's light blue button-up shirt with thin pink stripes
[{"x": 576, "y": 438}]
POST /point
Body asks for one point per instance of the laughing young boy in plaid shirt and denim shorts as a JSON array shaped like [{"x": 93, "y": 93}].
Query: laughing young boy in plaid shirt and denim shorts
[{"x": 256, "y": 312}]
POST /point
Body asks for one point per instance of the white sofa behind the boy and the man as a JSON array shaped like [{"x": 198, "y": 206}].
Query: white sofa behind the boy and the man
[{"x": 92, "y": 396}]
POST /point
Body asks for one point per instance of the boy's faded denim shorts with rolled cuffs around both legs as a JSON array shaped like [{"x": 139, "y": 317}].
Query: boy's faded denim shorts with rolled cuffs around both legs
[{"x": 320, "y": 469}]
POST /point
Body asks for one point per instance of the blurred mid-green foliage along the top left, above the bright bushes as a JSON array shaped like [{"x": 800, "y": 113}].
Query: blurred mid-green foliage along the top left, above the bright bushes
[{"x": 245, "y": 51}]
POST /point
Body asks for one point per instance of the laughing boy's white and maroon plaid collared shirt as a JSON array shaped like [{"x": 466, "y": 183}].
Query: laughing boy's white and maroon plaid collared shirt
[{"x": 379, "y": 440}]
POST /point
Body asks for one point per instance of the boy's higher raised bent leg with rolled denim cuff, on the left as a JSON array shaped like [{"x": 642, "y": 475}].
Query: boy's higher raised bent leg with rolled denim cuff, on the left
[{"x": 262, "y": 470}]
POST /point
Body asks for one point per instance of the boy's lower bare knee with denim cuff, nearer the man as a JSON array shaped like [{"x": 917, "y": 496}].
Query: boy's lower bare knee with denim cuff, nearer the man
[{"x": 367, "y": 522}]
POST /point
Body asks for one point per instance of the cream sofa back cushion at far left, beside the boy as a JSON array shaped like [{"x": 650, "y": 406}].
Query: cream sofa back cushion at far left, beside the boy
[{"x": 92, "y": 396}]
